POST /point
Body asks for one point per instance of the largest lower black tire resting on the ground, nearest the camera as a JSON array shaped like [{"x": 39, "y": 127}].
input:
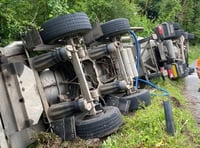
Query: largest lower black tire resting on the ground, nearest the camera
[{"x": 100, "y": 125}]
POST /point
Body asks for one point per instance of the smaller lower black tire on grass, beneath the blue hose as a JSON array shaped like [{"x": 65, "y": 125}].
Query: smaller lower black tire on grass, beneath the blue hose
[{"x": 142, "y": 97}]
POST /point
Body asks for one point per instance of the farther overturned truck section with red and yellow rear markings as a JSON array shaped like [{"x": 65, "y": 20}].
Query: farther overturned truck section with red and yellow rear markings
[{"x": 165, "y": 53}]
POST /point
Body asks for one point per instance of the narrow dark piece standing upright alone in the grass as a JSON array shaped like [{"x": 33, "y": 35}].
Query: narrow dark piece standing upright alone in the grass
[{"x": 169, "y": 117}]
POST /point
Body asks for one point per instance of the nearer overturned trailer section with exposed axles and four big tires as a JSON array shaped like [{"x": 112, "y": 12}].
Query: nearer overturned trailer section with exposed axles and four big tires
[{"x": 63, "y": 80}]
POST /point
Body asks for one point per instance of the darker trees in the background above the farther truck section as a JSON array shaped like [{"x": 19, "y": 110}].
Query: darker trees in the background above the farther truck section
[{"x": 186, "y": 12}]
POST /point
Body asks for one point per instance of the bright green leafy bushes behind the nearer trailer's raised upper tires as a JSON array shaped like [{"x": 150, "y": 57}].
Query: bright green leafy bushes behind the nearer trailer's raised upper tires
[{"x": 15, "y": 14}]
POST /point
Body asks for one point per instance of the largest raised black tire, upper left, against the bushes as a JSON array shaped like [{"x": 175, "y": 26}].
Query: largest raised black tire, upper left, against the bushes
[{"x": 65, "y": 26}]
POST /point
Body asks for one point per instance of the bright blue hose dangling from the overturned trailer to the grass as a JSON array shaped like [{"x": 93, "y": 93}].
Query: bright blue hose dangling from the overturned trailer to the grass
[{"x": 137, "y": 79}]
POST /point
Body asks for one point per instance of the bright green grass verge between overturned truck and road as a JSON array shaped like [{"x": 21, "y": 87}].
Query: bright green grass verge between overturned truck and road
[{"x": 146, "y": 128}]
